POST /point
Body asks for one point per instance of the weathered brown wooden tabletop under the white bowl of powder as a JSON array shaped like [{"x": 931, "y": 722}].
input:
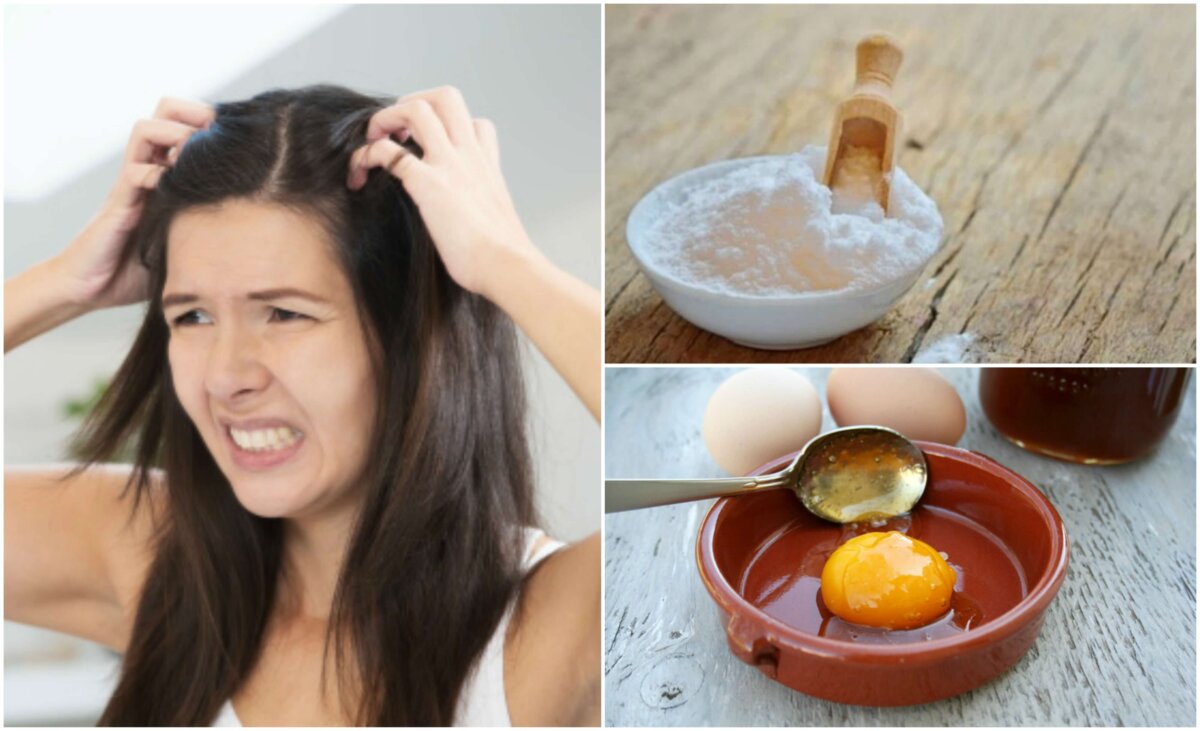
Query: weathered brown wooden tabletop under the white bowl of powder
[{"x": 1058, "y": 141}]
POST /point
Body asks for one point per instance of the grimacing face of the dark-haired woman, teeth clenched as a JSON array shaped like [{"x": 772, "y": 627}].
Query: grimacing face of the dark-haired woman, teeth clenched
[{"x": 269, "y": 357}]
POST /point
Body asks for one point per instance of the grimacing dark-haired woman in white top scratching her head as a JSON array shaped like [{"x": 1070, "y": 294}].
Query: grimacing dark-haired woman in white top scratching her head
[{"x": 332, "y": 500}]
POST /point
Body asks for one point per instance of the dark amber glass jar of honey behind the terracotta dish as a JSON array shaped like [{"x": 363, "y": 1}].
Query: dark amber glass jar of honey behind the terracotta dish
[{"x": 1090, "y": 416}]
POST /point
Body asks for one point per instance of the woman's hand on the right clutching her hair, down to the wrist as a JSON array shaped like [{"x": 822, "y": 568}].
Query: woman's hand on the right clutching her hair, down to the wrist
[{"x": 458, "y": 185}]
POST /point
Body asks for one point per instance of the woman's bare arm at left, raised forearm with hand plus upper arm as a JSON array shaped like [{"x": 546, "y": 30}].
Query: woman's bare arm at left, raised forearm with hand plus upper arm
[{"x": 75, "y": 553}]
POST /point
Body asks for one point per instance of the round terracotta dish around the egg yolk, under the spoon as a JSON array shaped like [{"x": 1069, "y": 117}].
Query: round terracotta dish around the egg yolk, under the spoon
[{"x": 761, "y": 559}]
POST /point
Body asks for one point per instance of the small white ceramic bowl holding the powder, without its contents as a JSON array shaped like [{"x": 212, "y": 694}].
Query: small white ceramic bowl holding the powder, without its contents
[{"x": 772, "y": 323}]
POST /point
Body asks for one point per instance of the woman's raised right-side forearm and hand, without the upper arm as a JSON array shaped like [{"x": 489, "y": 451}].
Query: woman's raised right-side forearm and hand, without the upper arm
[{"x": 465, "y": 203}]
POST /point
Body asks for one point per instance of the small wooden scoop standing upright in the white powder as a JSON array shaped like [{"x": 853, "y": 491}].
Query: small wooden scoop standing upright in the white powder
[{"x": 867, "y": 119}]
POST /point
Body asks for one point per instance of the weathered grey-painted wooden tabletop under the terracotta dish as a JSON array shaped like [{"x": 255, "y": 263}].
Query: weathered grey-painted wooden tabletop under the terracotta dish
[{"x": 1118, "y": 646}]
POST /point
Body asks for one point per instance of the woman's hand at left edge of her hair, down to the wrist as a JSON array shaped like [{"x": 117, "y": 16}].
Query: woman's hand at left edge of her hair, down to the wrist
[{"x": 92, "y": 265}]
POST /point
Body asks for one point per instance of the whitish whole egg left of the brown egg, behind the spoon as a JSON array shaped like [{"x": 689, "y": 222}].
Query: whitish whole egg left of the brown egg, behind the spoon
[{"x": 758, "y": 416}]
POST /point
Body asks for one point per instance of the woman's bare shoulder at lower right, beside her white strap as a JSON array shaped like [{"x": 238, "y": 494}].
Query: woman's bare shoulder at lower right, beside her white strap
[{"x": 553, "y": 651}]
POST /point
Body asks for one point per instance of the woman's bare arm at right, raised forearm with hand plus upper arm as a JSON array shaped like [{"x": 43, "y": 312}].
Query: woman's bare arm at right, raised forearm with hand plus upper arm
[{"x": 553, "y": 655}]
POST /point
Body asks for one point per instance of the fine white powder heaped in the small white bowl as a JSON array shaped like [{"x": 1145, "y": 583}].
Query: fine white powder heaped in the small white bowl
[{"x": 769, "y": 227}]
